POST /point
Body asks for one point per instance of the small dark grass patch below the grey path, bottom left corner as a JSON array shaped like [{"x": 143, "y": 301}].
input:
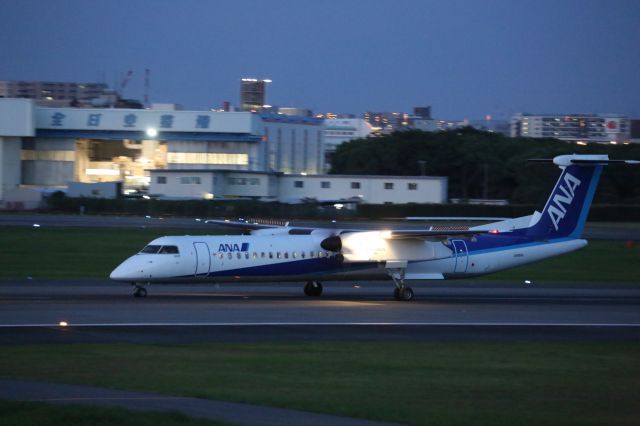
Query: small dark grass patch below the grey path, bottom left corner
[{"x": 39, "y": 413}]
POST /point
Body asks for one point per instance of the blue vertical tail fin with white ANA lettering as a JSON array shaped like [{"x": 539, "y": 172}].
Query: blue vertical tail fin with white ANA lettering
[{"x": 566, "y": 210}]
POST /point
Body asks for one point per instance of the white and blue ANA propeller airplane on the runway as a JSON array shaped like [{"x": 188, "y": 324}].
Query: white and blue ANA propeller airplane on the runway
[{"x": 280, "y": 252}]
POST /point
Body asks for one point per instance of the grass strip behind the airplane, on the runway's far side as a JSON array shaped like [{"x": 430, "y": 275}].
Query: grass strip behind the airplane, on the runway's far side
[{"x": 68, "y": 253}]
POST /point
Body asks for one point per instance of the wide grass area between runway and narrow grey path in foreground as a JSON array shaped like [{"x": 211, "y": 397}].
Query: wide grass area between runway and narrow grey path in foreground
[{"x": 413, "y": 383}]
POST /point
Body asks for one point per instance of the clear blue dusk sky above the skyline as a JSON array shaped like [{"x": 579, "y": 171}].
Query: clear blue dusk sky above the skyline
[{"x": 465, "y": 58}]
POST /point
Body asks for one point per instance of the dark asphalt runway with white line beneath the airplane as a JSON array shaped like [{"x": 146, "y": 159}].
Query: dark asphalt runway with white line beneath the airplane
[{"x": 102, "y": 311}]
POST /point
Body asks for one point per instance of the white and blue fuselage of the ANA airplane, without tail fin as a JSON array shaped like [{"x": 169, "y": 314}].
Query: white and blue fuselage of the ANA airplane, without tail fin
[{"x": 300, "y": 257}]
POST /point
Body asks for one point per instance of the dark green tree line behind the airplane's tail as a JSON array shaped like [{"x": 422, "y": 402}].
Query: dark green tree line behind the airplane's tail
[{"x": 485, "y": 165}]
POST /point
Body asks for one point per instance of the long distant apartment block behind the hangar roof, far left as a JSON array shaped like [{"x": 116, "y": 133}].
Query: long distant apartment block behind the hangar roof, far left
[{"x": 48, "y": 93}]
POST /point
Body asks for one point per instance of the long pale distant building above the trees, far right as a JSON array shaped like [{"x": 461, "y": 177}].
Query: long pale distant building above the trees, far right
[{"x": 581, "y": 128}]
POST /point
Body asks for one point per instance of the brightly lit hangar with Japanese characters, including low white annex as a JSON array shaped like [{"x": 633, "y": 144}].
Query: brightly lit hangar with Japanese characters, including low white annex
[{"x": 227, "y": 152}]
